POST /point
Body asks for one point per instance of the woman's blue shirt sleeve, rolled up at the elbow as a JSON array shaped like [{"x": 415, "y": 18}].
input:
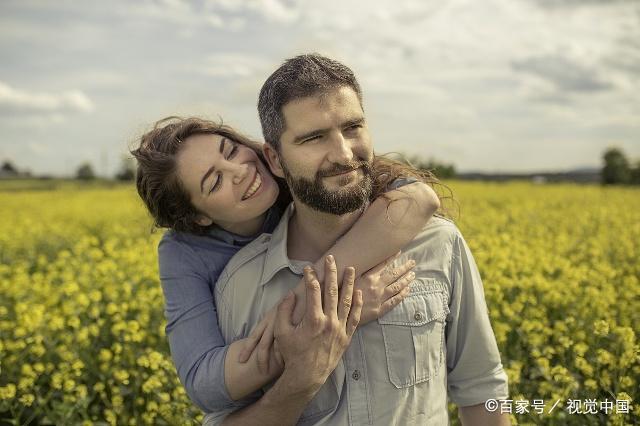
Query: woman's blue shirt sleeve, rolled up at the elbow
[{"x": 197, "y": 347}]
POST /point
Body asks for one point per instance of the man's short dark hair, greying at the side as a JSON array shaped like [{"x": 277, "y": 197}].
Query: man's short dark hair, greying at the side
[{"x": 299, "y": 77}]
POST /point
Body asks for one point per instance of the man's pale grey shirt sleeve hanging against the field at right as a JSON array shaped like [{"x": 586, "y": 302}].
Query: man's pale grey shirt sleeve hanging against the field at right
[{"x": 475, "y": 371}]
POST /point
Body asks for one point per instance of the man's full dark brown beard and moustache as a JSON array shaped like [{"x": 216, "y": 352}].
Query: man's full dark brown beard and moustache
[{"x": 338, "y": 202}]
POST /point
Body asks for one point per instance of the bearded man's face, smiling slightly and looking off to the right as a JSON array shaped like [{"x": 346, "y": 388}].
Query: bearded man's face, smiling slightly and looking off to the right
[{"x": 326, "y": 152}]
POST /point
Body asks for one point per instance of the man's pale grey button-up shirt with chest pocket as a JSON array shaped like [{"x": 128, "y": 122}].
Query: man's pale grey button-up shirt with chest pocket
[{"x": 399, "y": 370}]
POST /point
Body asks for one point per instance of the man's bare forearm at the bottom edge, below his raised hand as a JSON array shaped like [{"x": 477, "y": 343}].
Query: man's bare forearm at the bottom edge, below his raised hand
[{"x": 277, "y": 407}]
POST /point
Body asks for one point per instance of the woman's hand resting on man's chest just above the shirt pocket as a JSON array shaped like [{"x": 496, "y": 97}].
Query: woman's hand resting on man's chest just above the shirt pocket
[{"x": 383, "y": 287}]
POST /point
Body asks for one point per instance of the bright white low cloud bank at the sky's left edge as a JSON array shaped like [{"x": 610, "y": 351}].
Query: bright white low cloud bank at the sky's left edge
[{"x": 14, "y": 100}]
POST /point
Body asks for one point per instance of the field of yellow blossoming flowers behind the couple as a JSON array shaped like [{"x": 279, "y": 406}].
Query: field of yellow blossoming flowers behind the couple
[{"x": 82, "y": 326}]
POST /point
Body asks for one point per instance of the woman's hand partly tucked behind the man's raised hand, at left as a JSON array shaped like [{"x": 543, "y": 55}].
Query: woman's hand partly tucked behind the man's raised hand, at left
[{"x": 261, "y": 341}]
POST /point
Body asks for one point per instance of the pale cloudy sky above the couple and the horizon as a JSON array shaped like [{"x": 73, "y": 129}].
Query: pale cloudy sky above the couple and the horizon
[{"x": 492, "y": 85}]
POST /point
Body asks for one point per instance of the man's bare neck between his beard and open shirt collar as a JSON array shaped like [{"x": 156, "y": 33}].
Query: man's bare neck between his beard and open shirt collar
[{"x": 312, "y": 233}]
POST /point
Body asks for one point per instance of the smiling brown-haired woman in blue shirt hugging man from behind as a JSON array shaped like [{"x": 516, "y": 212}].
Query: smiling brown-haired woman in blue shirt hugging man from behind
[{"x": 210, "y": 186}]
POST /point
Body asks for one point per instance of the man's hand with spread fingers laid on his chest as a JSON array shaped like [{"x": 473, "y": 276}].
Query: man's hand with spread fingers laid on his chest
[{"x": 311, "y": 350}]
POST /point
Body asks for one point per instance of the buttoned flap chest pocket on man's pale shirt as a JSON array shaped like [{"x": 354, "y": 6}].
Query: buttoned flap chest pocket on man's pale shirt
[{"x": 413, "y": 333}]
